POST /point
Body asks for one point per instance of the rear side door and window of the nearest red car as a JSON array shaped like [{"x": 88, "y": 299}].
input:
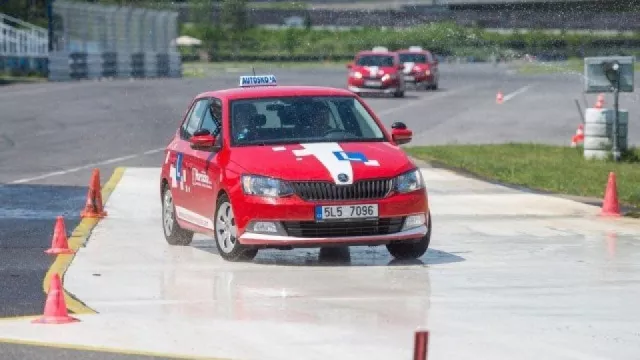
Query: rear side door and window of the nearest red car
[{"x": 181, "y": 160}]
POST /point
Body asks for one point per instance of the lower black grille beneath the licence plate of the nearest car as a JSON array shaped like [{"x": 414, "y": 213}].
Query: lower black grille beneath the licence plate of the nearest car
[{"x": 306, "y": 229}]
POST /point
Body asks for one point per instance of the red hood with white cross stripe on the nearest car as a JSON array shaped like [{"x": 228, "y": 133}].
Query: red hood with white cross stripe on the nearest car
[{"x": 324, "y": 161}]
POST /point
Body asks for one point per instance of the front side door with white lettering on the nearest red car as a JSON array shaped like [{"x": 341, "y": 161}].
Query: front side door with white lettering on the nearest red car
[{"x": 205, "y": 165}]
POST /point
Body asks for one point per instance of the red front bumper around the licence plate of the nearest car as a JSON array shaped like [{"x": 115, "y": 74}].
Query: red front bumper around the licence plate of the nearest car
[{"x": 295, "y": 223}]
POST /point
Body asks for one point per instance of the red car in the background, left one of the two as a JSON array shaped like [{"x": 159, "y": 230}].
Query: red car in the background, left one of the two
[{"x": 376, "y": 71}]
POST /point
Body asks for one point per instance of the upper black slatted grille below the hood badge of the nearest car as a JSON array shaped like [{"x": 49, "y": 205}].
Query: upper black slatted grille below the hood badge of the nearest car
[{"x": 361, "y": 190}]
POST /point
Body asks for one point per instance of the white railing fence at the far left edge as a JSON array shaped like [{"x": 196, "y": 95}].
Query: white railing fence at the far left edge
[{"x": 23, "y": 47}]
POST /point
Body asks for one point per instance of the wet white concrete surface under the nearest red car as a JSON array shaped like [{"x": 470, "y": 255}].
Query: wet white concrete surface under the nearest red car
[{"x": 509, "y": 275}]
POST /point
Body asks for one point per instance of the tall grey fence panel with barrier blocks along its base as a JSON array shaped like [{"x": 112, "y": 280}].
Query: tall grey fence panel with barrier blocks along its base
[{"x": 94, "y": 41}]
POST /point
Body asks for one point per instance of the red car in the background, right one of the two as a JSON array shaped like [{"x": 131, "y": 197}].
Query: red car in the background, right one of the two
[{"x": 420, "y": 67}]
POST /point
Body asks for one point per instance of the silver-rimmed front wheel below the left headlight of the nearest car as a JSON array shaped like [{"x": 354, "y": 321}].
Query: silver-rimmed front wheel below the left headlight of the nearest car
[{"x": 226, "y": 234}]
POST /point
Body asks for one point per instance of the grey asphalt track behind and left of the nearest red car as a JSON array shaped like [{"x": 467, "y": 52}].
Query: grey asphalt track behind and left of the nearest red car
[{"x": 53, "y": 135}]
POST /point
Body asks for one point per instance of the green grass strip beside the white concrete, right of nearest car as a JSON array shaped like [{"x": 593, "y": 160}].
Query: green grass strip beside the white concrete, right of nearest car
[{"x": 556, "y": 169}]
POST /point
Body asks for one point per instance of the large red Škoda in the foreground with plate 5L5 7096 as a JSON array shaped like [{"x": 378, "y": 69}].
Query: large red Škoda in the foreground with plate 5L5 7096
[{"x": 267, "y": 166}]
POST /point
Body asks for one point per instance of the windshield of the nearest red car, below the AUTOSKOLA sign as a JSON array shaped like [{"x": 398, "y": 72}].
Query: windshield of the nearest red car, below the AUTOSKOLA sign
[{"x": 301, "y": 119}]
